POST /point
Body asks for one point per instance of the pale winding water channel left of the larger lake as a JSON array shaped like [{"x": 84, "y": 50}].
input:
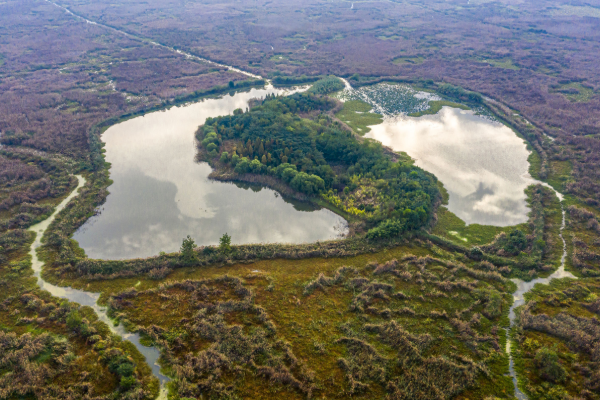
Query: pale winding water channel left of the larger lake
[{"x": 88, "y": 298}]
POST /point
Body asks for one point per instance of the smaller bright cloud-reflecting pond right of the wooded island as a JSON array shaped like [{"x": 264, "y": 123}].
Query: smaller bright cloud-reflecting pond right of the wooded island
[{"x": 482, "y": 163}]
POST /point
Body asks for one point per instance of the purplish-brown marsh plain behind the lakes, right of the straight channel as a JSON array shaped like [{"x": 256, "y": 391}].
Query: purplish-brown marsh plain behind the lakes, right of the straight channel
[{"x": 529, "y": 55}]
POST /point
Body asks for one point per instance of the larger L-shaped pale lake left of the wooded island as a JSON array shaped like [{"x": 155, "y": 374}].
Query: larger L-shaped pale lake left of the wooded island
[{"x": 160, "y": 194}]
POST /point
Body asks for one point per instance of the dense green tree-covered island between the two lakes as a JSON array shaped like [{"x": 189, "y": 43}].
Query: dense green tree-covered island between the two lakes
[{"x": 317, "y": 156}]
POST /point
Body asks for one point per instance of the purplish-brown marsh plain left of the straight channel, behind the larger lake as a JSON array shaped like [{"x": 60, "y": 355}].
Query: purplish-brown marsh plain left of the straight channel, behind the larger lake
[{"x": 60, "y": 75}]
